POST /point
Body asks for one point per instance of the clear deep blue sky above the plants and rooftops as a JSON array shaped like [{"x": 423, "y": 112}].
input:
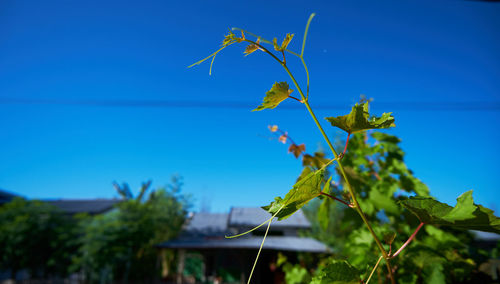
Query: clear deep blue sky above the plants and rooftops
[{"x": 65, "y": 65}]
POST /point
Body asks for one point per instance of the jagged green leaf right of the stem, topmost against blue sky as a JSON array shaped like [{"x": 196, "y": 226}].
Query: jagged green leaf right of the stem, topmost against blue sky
[{"x": 359, "y": 119}]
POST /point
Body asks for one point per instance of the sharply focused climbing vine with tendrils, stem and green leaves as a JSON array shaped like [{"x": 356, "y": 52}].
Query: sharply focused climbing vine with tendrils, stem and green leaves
[{"x": 310, "y": 184}]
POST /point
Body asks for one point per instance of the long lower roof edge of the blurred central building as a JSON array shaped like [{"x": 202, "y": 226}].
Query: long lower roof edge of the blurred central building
[{"x": 282, "y": 243}]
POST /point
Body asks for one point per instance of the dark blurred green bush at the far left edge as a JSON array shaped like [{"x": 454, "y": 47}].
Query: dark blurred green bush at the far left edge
[{"x": 35, "y": 236}]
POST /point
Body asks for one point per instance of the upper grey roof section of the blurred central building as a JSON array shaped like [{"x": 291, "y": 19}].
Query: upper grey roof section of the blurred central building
[{"x": 254, "y": 216}]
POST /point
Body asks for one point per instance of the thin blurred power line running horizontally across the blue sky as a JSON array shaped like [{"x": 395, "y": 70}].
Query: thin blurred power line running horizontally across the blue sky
[{"x": 399, "y": 105}]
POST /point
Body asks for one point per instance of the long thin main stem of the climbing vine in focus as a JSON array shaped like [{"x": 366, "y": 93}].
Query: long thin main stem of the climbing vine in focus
[{"x": 341, "y": 168}]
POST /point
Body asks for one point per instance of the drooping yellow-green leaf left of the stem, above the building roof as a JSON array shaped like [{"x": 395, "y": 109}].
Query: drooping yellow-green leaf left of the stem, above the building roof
[{"x": 302, "y": 192}]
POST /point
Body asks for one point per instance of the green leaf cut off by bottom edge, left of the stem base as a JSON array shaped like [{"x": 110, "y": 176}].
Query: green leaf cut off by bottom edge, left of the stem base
[{"x": 337, "y": 272}]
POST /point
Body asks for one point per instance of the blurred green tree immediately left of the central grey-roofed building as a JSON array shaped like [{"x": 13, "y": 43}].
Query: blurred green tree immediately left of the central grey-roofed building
[{"x": 120, "y": 245}]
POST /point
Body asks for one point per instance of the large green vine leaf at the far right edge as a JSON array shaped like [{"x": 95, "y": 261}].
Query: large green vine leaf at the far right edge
[{"x": 465, "y": 215}]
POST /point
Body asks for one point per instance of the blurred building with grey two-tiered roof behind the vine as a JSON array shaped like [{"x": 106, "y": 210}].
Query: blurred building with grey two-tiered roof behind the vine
[{"x": 204, "y": 237}]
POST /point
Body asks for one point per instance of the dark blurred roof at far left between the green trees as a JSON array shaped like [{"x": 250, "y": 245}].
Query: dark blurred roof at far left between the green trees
[{"x": 91, "y": 206}]
